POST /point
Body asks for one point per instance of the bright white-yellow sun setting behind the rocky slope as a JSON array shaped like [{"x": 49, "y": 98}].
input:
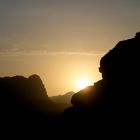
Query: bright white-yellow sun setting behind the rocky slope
[{"x": 84, "y": 82}]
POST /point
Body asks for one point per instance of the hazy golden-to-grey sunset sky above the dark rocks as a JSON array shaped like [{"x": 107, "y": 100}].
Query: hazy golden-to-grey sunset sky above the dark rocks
[{"x": 62, "y": 40}]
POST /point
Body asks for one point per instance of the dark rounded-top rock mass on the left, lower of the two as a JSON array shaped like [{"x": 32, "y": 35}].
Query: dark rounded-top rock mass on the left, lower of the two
[{"x": 24, "y": 102}]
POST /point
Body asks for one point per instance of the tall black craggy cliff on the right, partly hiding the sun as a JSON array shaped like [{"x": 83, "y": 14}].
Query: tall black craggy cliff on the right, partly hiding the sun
[{"x": 116, "y": 95}]
